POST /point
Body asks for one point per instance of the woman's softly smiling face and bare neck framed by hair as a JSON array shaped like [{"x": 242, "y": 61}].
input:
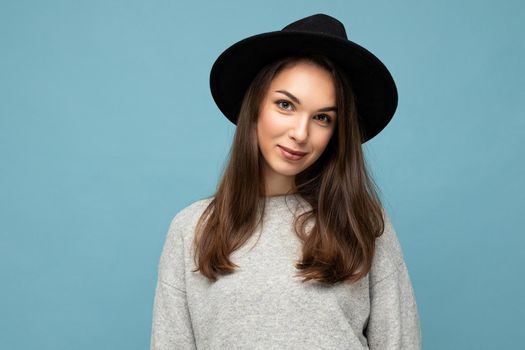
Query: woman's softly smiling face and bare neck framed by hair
[{"x": 297, "y": 113}]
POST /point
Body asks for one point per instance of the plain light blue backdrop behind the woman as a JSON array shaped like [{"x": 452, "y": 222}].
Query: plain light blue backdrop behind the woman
[{"x": 108, "y": 129}]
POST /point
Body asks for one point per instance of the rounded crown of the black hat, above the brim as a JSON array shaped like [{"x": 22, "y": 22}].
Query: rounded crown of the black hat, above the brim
[{"x": 319, "y": 24}]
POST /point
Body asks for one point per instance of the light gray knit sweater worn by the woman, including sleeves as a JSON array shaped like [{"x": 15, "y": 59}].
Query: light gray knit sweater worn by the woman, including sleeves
[{"x": 264, "y": 306}]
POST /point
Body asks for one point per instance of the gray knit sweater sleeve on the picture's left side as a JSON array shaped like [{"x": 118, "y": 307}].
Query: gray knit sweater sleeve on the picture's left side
[{"x": 171, "y": 325}]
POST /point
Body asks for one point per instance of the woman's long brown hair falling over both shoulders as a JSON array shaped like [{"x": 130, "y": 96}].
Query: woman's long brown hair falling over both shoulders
[{"x": 341, "y": 243}]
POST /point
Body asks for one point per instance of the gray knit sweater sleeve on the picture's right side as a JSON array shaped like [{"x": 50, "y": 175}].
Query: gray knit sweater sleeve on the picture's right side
[{"x": 394, "y": 321}]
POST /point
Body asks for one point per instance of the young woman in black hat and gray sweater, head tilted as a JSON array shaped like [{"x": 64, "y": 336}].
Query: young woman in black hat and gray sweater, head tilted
[{"x": 294, "y": 250}]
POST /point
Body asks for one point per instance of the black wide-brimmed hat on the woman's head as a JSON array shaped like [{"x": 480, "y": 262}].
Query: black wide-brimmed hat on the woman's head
[{"x": 372, "y": 83}]
